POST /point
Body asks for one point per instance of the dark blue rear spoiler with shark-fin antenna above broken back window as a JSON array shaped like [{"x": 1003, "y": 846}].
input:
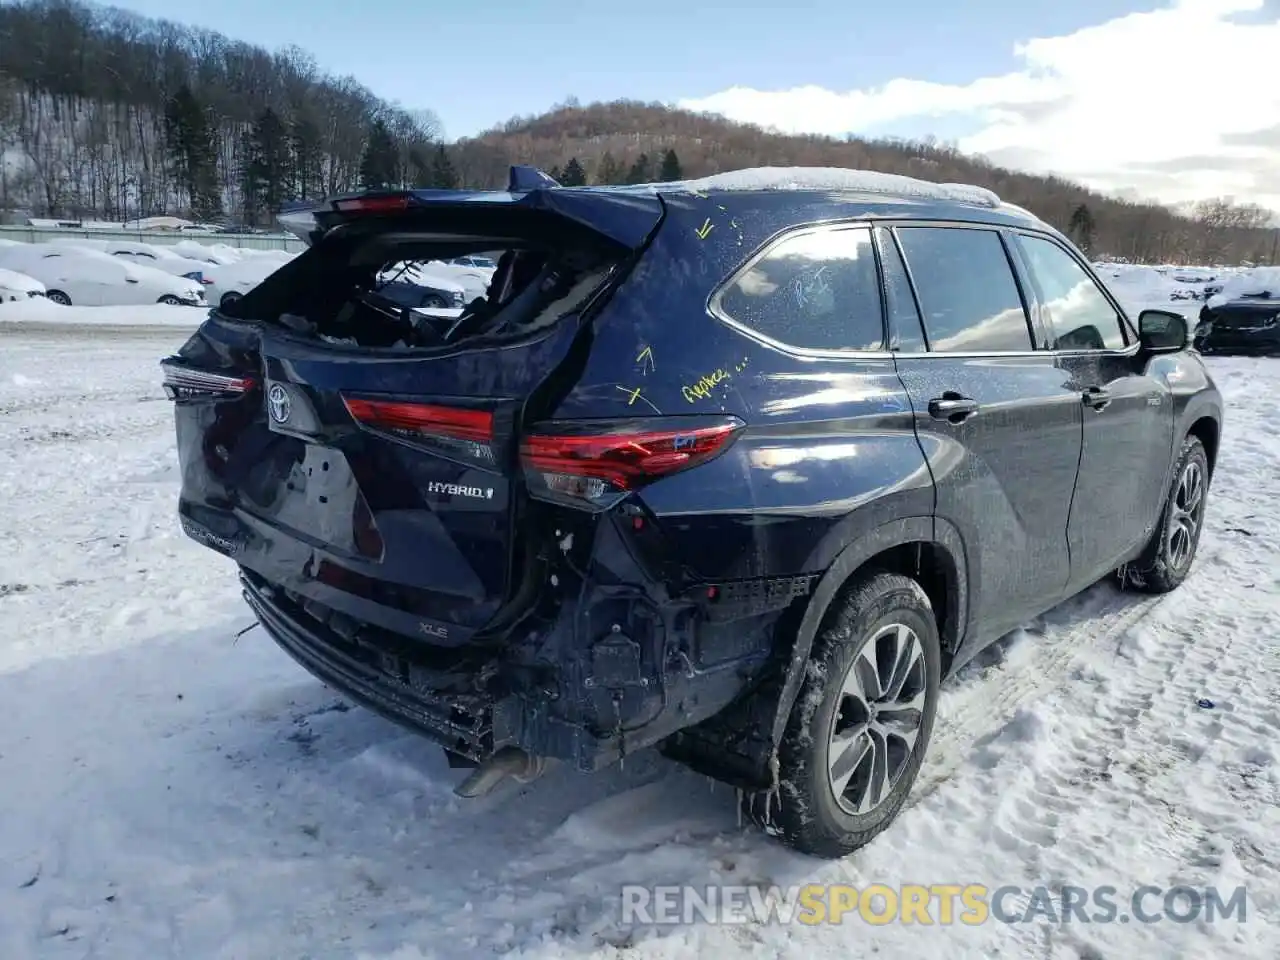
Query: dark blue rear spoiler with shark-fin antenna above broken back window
[{"x": 627, "y": 218}]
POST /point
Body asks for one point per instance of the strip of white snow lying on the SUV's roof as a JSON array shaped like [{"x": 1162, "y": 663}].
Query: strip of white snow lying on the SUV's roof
[{"x": 834, "y": 179}]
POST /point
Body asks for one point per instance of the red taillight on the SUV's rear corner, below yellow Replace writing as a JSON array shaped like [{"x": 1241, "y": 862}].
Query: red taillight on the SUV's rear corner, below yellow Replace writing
[{"x": 597, "y": 463}]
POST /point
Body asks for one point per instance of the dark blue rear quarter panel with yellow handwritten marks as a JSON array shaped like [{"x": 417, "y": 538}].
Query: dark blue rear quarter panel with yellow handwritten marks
[{"x": 830, "y": 451}]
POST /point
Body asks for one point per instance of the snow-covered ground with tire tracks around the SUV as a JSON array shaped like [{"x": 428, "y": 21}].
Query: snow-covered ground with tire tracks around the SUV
[{"x": 170, "y": 789}]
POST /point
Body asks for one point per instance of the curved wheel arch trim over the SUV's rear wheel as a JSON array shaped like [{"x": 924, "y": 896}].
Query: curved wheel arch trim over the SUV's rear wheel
[{"x": 927, "y": 550}]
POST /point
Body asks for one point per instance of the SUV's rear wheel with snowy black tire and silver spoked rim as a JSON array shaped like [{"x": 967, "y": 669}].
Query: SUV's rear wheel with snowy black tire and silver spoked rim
[{"x": 806, "y": 812}]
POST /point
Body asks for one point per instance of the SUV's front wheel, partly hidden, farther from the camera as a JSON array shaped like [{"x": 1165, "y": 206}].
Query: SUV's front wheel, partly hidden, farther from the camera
[{"x": 1165, "y": 561}]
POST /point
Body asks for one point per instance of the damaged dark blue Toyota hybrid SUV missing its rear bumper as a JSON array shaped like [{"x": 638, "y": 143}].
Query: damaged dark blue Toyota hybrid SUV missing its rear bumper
[{"x": 739, "y": 468}]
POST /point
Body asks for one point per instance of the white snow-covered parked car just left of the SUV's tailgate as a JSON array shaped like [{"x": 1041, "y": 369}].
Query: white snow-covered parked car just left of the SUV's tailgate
[{"x": 92, "y": 278}]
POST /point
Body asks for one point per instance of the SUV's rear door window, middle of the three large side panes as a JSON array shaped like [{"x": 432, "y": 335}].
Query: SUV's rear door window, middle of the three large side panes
[{"x": 967, "y": 290}]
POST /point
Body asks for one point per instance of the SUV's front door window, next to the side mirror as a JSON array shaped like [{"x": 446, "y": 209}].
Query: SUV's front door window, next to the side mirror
[{"x": 1081, "y": 316}]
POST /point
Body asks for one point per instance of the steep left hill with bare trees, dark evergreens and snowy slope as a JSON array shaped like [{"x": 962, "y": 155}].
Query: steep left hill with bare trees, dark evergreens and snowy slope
[{"x": 108, "y": 115}]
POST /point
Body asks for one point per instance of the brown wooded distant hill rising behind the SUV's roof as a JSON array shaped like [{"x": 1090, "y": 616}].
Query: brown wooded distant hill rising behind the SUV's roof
[{"x": 609, "y": 140}]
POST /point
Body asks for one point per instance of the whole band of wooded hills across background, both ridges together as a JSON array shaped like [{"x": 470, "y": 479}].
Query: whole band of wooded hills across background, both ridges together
[{"x": 109, "y": 116}]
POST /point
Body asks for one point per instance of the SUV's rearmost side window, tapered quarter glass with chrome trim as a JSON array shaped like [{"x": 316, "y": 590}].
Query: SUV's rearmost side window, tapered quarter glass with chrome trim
[{"x": 815, "y": 291}]
